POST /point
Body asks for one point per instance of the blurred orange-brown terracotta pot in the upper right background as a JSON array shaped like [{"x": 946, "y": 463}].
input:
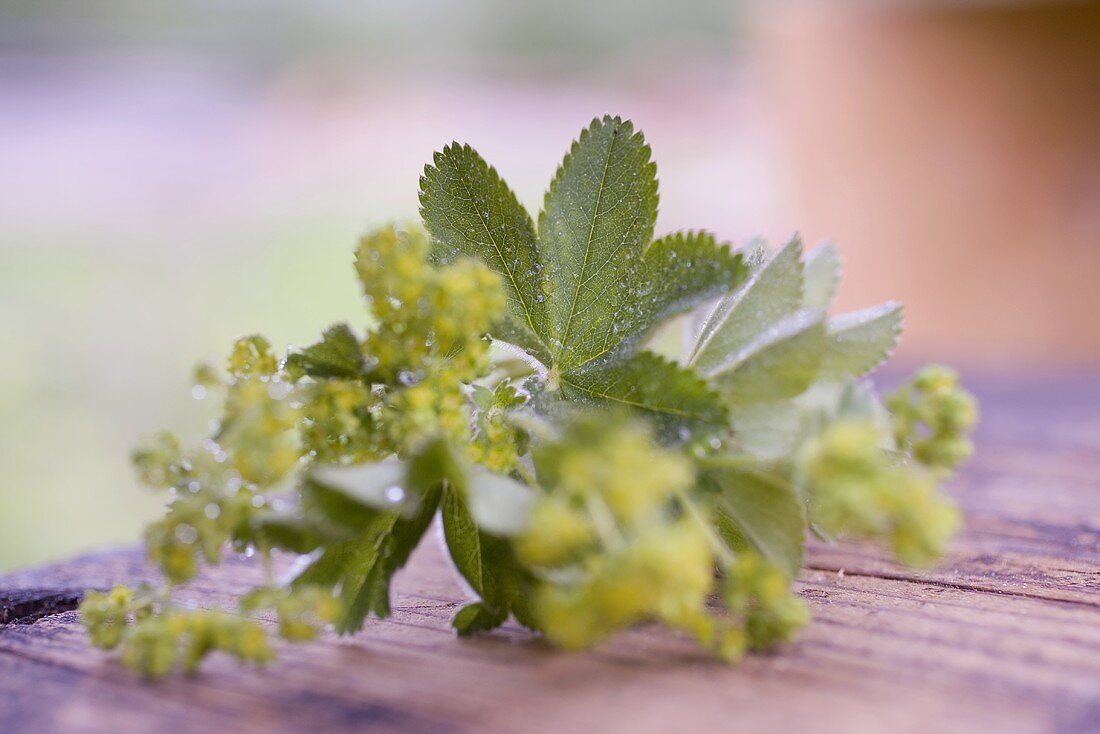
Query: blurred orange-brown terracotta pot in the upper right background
[{"x": 954, "y": 155}]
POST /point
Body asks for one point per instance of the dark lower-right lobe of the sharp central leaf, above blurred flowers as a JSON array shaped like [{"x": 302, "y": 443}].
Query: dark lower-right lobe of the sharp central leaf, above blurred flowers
[{"x": 683, "y": 406}]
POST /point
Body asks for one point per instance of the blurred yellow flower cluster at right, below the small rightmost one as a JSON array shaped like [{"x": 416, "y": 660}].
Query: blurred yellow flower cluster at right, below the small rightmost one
[{"x": 859, "y": 489}]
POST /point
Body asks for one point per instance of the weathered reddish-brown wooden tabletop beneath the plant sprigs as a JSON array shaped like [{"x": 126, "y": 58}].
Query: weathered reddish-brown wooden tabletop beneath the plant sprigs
[{"x": 1004, "y": 638}]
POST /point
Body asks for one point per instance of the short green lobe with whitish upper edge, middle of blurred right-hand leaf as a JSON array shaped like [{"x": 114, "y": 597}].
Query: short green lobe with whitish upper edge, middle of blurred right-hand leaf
[{"x": 782, "y": 363}]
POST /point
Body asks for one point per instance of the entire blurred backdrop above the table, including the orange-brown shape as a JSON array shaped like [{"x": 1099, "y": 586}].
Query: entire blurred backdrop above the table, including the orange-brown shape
[{"x": 180, "y": 173}]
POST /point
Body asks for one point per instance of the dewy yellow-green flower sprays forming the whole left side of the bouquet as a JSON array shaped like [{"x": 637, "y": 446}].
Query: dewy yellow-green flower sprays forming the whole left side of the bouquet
[{"x": 408, "y": 382}]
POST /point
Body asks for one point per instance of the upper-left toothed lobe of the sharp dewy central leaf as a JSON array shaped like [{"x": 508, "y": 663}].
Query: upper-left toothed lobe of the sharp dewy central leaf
[{"x": 470, "y": 212}]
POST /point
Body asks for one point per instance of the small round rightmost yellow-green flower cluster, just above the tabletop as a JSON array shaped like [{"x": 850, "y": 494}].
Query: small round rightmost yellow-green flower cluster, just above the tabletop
[{"x": 933, "y": 419}]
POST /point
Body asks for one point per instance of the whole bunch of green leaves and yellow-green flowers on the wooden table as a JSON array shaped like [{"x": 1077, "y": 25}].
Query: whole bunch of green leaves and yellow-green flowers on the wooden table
[{"x": 585, "y": 484}]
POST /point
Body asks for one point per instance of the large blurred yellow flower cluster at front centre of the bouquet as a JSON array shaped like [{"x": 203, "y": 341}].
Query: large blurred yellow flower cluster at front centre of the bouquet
[{"x": 608, "y": 541}]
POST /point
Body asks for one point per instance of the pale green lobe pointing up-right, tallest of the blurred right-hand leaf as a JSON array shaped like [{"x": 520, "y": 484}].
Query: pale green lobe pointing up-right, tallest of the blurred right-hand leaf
[{"x": 774, "y": 293}]
